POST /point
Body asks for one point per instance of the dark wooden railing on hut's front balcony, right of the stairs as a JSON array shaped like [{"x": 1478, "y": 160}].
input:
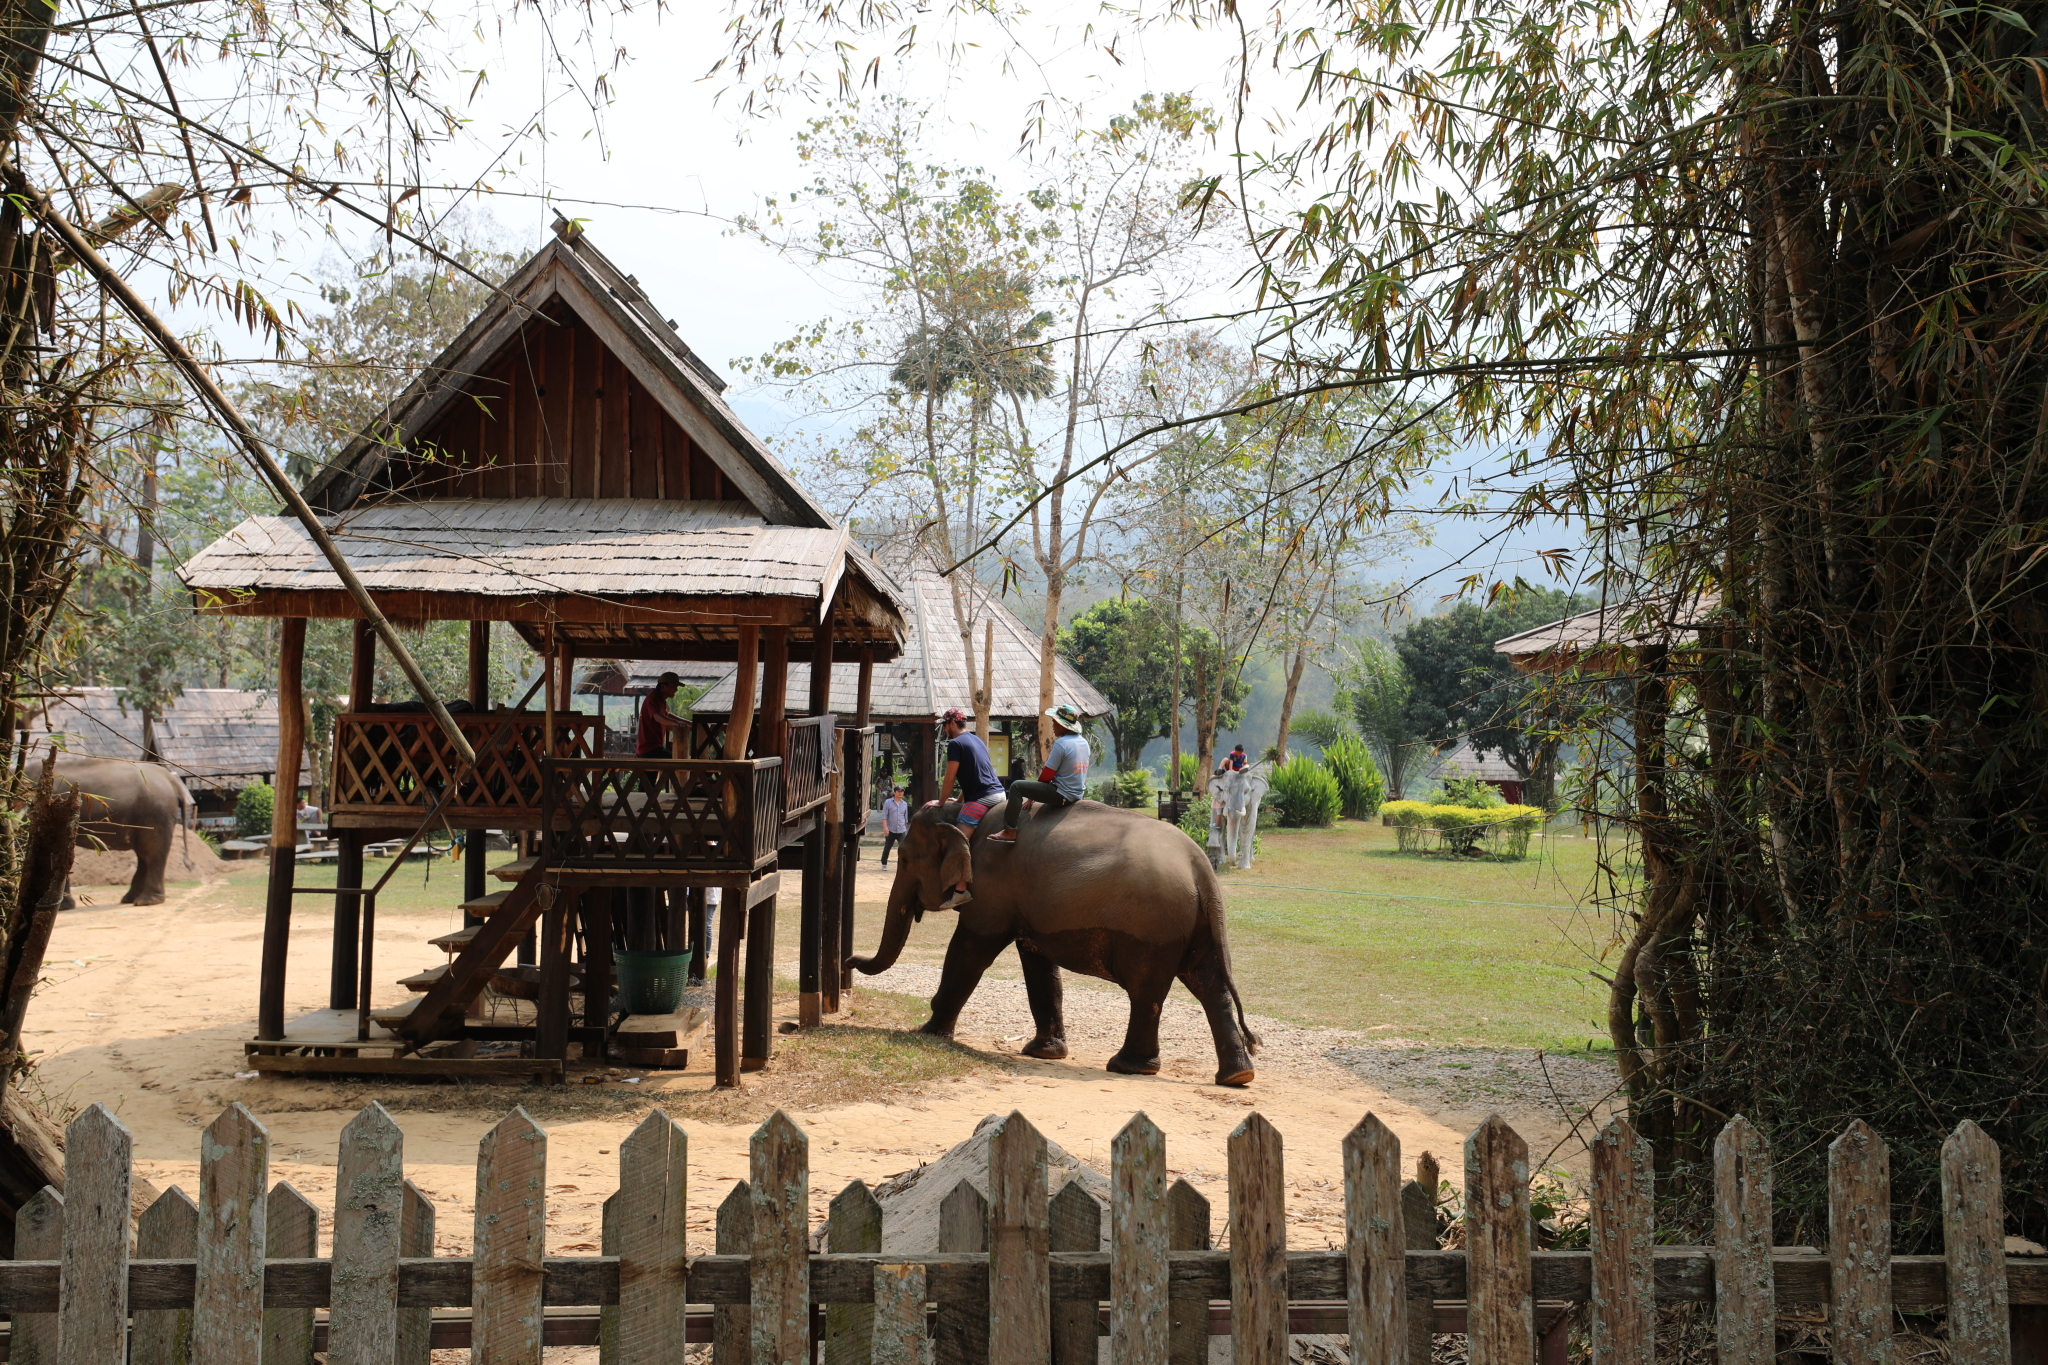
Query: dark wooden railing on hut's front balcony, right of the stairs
[{"x": 663, "y": 813}]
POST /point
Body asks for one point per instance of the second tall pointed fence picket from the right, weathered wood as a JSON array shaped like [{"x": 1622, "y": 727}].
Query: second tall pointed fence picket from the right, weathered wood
[{"x": 1861, "y": 1247}]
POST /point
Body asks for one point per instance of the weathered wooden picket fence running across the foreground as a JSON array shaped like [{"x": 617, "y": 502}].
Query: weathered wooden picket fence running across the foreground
[{"x": 237, "y": 1278}]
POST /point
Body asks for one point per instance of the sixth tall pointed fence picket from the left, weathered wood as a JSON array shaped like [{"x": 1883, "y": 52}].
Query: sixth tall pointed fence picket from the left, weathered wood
[{"x": 779, "y": 1174}]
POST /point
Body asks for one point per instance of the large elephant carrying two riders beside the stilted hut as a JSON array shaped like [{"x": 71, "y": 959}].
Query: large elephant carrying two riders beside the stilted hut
[{"x": 1091, "y": 889}]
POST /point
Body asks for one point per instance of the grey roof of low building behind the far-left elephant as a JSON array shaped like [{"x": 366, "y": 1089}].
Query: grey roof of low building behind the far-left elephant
[{"x": 214, "y": 738}]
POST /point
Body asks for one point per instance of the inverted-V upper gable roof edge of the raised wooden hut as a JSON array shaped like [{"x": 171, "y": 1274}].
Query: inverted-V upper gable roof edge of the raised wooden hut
[{"x": 611, "y": 304}]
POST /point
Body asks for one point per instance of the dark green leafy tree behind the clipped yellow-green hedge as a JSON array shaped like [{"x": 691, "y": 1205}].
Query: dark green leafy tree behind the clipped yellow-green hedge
[{"x": 1463, "y": 689}]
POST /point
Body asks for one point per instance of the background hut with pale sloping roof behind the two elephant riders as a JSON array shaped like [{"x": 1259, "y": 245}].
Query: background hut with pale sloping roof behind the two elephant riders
[{"x": 931, "y": 674}]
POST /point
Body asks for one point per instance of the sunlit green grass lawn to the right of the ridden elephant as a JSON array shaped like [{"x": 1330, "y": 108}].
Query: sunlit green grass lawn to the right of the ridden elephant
[{"x": 1431, "y": 949}]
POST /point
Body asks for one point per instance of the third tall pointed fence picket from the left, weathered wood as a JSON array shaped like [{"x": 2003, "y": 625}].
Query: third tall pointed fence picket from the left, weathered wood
[{"x": 370, "y": 1202}]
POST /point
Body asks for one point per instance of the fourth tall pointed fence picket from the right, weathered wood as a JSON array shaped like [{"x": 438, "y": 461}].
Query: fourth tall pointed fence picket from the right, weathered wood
[{"x": 1625, "y": 1233}]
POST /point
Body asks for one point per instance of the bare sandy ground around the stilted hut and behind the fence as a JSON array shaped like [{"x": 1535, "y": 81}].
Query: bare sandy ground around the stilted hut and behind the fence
[{"x": 144, "y": 1012}]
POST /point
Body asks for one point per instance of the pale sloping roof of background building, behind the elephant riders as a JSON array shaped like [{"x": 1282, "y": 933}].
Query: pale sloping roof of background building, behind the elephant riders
[{"x": 931, "y": 674}]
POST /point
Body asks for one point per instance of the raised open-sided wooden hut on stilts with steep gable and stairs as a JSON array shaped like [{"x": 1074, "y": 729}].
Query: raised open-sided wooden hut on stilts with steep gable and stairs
[{"x": 570, "y": 470}]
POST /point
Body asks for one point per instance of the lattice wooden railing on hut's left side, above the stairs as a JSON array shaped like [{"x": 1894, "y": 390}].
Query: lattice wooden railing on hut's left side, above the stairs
[{"x": 392, "y": 764}]
